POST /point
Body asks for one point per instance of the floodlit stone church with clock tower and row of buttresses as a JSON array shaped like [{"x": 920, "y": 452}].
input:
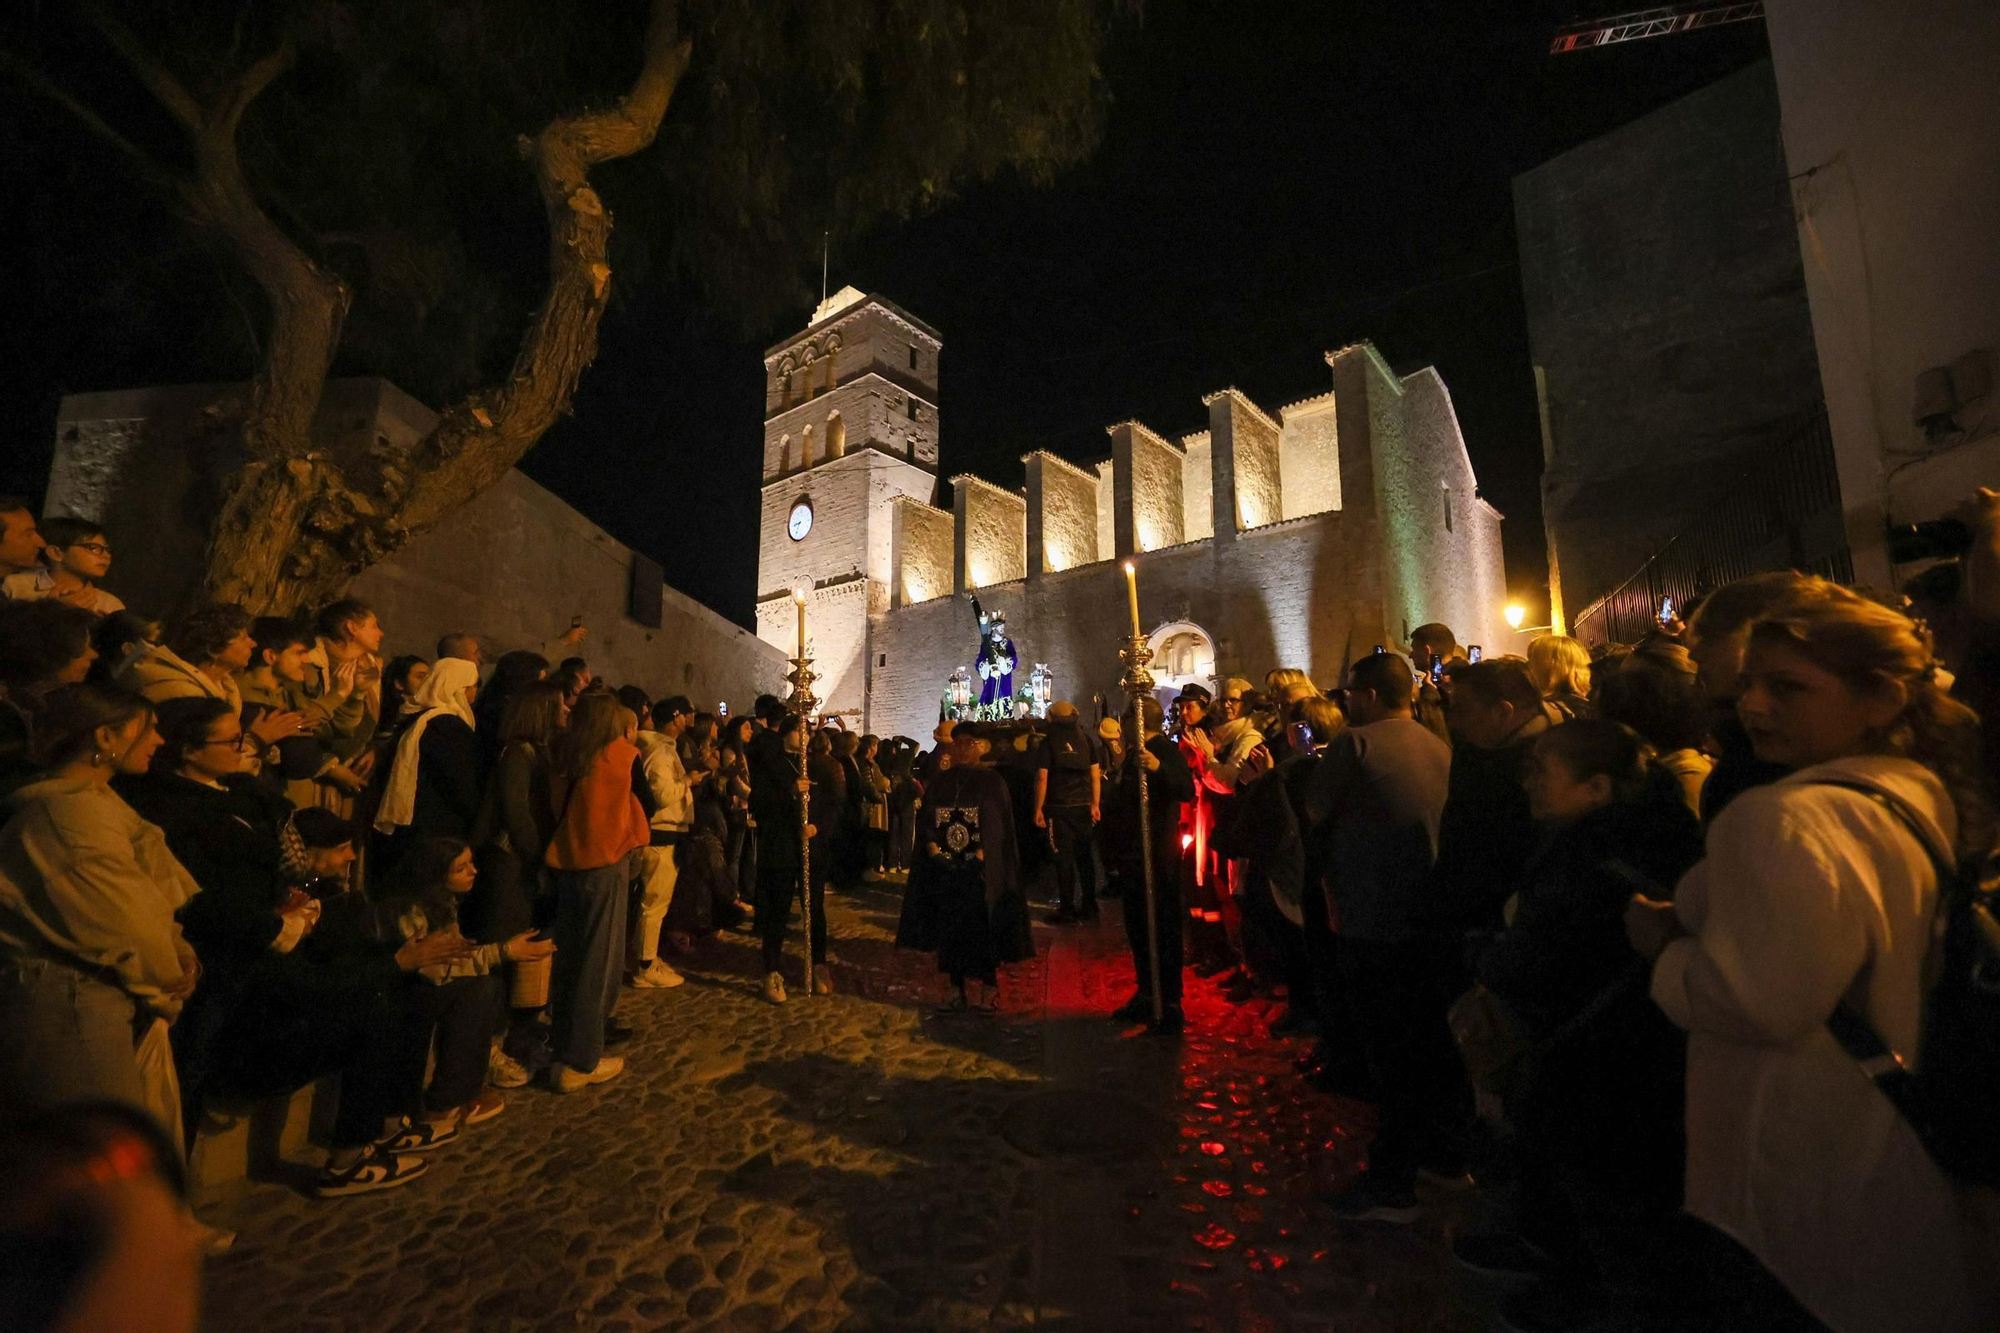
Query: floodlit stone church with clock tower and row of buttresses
[{"x": 1301, "y": 537}]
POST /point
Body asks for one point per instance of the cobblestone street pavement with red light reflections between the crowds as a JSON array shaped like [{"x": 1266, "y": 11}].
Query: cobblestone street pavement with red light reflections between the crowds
[{"x": 863, "y": 1162}]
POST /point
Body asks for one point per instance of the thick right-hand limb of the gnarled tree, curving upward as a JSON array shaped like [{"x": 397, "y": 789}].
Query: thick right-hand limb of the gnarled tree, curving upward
[{"x": 487, "y": 433}]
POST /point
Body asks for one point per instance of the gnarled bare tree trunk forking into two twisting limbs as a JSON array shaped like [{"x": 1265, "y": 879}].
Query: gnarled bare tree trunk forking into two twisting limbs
[{"x": 293, "y": 523}]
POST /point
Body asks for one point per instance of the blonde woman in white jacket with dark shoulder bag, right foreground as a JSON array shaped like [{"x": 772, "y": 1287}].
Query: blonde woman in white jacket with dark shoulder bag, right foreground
[{"x": 1819, "y": 896}]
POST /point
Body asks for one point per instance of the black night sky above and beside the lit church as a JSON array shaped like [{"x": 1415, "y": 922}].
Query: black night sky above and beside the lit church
[{"x": 1275, "y": 181}]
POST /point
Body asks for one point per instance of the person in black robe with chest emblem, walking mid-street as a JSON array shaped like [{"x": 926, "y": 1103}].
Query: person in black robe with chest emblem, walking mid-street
[{"x": 965, "y": 900}]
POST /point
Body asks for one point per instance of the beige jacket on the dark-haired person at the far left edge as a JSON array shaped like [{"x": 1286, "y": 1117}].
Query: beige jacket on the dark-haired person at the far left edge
[{"x": 87, "y": 882}]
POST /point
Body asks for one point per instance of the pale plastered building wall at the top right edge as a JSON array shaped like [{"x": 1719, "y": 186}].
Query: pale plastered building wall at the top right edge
[{"x": 1893, "y": 143}]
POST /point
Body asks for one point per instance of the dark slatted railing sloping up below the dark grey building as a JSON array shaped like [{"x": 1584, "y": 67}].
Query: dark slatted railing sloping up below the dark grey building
[{"x": 1777, "y": 507}]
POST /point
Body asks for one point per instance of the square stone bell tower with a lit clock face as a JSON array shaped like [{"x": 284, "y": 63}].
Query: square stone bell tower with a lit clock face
[{"x": 851, "y": 423}]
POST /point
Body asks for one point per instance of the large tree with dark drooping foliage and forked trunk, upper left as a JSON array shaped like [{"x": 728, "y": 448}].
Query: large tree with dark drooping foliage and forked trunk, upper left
[{"x": 291, "y": 189}]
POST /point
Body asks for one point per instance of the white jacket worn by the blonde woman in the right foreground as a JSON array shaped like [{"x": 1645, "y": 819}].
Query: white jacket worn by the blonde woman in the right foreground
[{"x": 1813, "y": 894}]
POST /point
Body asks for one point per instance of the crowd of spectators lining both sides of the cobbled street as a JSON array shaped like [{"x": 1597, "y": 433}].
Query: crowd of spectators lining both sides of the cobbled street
[{"x": 1593, "y": 932}]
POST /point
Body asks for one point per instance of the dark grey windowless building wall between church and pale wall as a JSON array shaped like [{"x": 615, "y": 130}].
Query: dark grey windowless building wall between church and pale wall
[{"x": 1667, "y": 315}]
